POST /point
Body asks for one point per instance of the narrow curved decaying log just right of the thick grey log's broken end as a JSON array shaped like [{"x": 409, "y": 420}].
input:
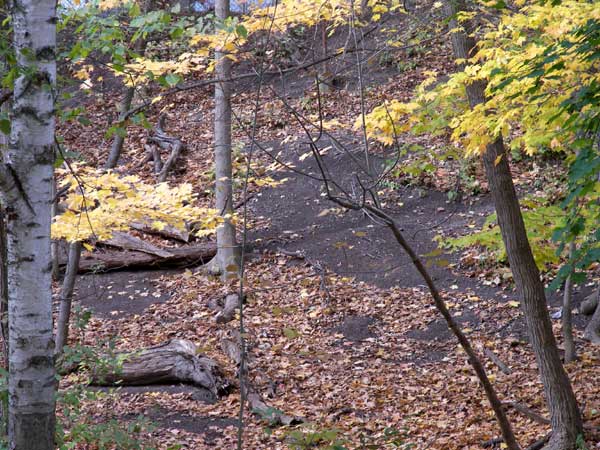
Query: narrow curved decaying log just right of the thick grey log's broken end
[{"x": 232, "y": 348}]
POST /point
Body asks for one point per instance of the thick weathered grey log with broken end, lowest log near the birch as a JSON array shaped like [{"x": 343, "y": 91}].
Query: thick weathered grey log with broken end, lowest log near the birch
[{"x": 175, "y": 361}]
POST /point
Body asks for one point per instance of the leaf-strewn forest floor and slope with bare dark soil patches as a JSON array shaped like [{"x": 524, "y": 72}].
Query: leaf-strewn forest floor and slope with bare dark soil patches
[{"x": 343, "y": 335}]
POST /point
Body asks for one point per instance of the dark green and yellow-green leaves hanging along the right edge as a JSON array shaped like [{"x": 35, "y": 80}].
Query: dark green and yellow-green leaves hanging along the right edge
[{"x": 578, "y": 114}]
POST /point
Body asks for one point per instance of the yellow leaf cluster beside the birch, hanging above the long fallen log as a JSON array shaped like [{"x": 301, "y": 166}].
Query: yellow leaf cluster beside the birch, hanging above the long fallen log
[{"x": 100, "y": 203}]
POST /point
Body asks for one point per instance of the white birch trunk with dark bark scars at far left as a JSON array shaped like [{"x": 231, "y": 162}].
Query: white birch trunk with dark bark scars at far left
[{"x": 26, "y": 175}]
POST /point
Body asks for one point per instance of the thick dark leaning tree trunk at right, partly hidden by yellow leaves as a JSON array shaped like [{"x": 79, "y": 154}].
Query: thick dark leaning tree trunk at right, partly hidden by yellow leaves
[{"x": 564, "y": 412}]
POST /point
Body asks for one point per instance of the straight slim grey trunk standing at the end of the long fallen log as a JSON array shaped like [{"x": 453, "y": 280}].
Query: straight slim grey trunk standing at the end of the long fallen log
[{"x": 228, "y": 255}]
